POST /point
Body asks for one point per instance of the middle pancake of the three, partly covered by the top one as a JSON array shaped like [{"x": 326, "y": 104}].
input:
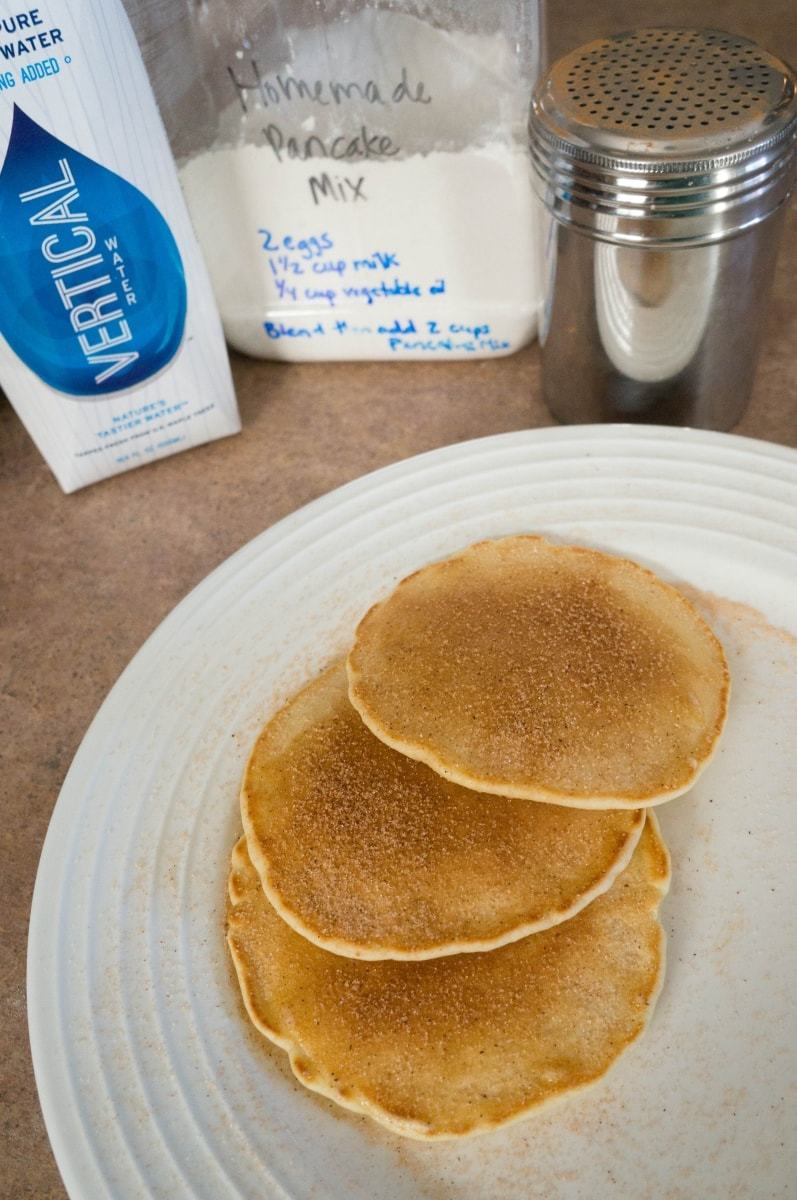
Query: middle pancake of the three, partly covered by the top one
[{"x": 373, "y": 855}]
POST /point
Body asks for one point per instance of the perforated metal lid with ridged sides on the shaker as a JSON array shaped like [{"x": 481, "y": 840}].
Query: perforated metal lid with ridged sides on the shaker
[{"x": 666, "y": 135}]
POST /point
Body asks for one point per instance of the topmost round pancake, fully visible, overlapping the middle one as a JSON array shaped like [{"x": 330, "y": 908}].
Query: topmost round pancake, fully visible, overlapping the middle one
[{"x": 544, "y": 673}]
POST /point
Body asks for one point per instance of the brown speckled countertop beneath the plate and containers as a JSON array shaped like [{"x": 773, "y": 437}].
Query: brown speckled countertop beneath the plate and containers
[{"x": 87, "y": 578}]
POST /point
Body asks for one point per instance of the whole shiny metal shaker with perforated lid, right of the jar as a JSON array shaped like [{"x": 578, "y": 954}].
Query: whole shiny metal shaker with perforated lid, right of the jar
[{"x": 664, "y": 160}]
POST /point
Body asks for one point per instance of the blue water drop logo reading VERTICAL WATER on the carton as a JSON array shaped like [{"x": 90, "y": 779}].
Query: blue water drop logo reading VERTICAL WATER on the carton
[{"x": 93, "y": 292}]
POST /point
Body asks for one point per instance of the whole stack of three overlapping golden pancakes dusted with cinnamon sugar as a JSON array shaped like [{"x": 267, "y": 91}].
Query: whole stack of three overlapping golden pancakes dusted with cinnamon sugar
[{"x": 445, "y": 904}]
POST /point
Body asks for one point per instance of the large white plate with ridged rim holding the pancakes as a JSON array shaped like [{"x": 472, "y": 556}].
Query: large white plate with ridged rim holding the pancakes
[{"x": 151, "y": 1081}]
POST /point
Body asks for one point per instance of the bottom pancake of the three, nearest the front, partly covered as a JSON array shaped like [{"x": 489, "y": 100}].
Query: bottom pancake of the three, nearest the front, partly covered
[{"x": 456, "y": 1046}]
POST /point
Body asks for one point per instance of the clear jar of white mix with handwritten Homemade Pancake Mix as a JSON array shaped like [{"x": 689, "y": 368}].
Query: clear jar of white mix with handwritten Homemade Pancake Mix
[{"x": 358, "y": 173}]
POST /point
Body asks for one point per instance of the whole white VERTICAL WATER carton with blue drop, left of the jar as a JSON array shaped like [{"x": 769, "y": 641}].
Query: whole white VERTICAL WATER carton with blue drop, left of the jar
[{"x": 111, "y": 345}]
